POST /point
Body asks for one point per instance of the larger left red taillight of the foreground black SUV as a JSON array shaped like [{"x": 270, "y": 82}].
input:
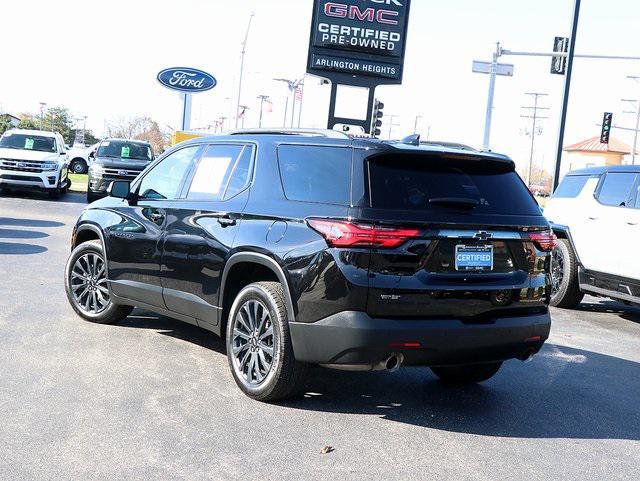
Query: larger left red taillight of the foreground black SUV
[{"x": 348, "y": 234}]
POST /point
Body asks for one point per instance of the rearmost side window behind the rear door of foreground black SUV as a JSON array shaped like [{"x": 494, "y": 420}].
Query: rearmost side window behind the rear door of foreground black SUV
[{"x": 316, "y": 174}]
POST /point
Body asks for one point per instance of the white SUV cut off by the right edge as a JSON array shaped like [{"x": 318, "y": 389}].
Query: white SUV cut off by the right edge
[{"x": 596, "y": 215}]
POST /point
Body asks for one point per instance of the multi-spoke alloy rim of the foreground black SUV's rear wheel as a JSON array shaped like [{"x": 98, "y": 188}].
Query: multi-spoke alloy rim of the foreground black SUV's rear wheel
[{"x": 253, "y": 343}]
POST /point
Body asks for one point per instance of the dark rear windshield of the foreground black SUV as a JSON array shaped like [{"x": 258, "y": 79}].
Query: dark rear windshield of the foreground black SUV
[{"x": 435, "y": 183}]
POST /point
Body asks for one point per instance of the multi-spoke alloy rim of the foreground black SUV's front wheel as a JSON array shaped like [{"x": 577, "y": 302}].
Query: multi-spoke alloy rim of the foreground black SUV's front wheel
[{"x": 88, "y": 283}]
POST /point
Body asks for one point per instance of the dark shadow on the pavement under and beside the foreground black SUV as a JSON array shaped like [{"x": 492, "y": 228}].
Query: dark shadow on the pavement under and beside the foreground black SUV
[{"x": 563, "y": 393}]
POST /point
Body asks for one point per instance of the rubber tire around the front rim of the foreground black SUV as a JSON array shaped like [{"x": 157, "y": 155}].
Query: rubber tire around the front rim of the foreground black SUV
[{"x": 112, "y": 312}]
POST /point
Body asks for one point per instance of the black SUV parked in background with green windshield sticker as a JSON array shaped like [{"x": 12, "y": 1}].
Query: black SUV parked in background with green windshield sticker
[{"x": 116, "y": 159}]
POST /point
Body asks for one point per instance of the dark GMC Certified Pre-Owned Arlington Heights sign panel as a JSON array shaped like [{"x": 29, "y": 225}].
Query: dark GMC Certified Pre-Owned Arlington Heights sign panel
[{"x": 359, "y": 39}]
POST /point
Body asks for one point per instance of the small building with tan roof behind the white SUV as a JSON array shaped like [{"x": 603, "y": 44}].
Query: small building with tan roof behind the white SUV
[{"x": 592, "y": 153}]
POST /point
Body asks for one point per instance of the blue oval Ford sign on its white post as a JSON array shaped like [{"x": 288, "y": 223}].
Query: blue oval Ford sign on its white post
[{"x": 187, "y": 81}]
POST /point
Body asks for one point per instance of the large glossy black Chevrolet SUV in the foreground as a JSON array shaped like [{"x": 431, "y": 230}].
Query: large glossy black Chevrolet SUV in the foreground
[{"x": 315, "y": 248}]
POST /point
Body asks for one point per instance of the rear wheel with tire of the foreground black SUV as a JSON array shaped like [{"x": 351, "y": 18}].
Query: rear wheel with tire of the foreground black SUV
[{"x": 259, "y": 346}]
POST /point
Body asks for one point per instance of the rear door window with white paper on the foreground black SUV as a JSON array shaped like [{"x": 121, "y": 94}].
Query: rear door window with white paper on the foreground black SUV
[{"x": 216, "y": 172}]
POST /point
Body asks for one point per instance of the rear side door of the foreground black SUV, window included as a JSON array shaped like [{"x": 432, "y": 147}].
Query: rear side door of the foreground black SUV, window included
[{"x": 201, "y": 231}]
